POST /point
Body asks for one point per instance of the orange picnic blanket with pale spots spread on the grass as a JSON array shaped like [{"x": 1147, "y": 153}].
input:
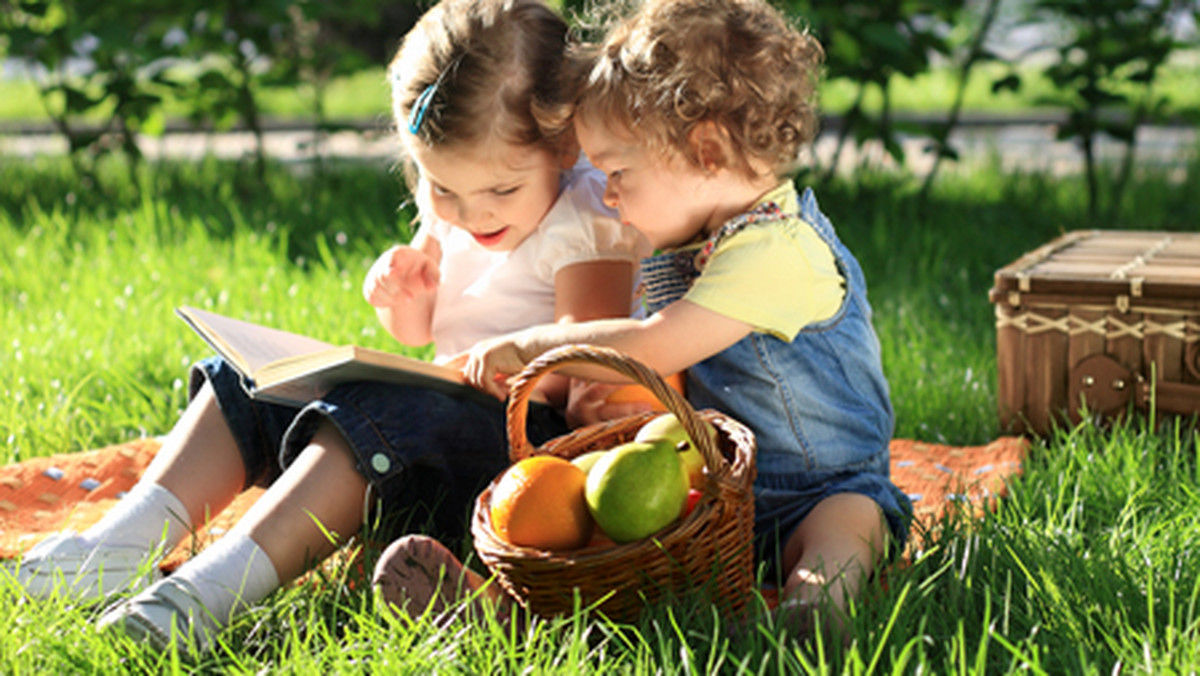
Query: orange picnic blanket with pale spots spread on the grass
[{"x": 45, "y": 495}]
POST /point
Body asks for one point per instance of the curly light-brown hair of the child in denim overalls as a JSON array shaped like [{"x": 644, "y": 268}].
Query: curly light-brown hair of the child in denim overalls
[{"x": 677, "y": 64}]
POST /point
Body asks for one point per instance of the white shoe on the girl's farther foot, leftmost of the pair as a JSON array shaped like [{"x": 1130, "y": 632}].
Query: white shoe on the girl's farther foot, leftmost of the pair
[{"x": 69, "y": 565}]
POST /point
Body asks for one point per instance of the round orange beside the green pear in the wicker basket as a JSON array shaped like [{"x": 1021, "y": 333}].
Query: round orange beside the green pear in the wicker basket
[{"x": 539, "y": 504}]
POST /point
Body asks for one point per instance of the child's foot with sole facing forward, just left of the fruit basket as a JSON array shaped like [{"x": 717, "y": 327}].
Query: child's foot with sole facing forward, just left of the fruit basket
[{"x": 417, "y": 575}]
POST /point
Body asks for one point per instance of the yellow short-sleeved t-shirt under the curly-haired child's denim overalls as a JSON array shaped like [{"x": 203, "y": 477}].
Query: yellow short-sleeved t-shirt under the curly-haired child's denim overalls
[{"x": 778, "y": 277}]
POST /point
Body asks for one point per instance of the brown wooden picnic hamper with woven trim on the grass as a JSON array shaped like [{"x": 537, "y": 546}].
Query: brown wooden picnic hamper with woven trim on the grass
[{"x": 1099, "y": 321}]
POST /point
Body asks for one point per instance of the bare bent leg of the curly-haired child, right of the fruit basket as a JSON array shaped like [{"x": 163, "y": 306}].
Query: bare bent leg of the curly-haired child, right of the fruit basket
[{"x": 833, "y": 551}]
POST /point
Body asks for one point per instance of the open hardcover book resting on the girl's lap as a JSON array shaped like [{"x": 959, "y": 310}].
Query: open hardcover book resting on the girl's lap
[{"x": 292, "y": 369}]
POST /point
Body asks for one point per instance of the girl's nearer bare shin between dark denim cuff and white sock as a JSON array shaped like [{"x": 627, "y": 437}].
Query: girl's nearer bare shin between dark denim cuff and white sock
[{"x": 321, "y": 492}]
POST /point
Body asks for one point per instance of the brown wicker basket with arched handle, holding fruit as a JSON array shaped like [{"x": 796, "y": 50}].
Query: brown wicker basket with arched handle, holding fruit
[{"x": 709, "y": 552}]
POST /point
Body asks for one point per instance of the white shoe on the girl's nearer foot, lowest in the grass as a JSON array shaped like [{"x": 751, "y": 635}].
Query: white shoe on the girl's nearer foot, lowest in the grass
[{"x": 166, "y": 613}]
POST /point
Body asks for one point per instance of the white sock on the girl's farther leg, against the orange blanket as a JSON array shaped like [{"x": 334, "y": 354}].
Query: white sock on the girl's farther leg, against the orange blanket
[{"x": 148, "y": 516}]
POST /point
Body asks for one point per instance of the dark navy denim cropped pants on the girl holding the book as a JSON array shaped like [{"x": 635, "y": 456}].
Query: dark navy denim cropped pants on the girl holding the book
[{"x": 424, "y": 453}]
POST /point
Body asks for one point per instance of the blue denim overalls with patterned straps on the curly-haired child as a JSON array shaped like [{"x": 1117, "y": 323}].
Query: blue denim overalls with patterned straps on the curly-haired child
[{"x": 819, "y": 406}]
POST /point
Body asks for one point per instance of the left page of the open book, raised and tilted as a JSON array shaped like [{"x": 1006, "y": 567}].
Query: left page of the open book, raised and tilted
[{"x": 248, "y": 345}]
